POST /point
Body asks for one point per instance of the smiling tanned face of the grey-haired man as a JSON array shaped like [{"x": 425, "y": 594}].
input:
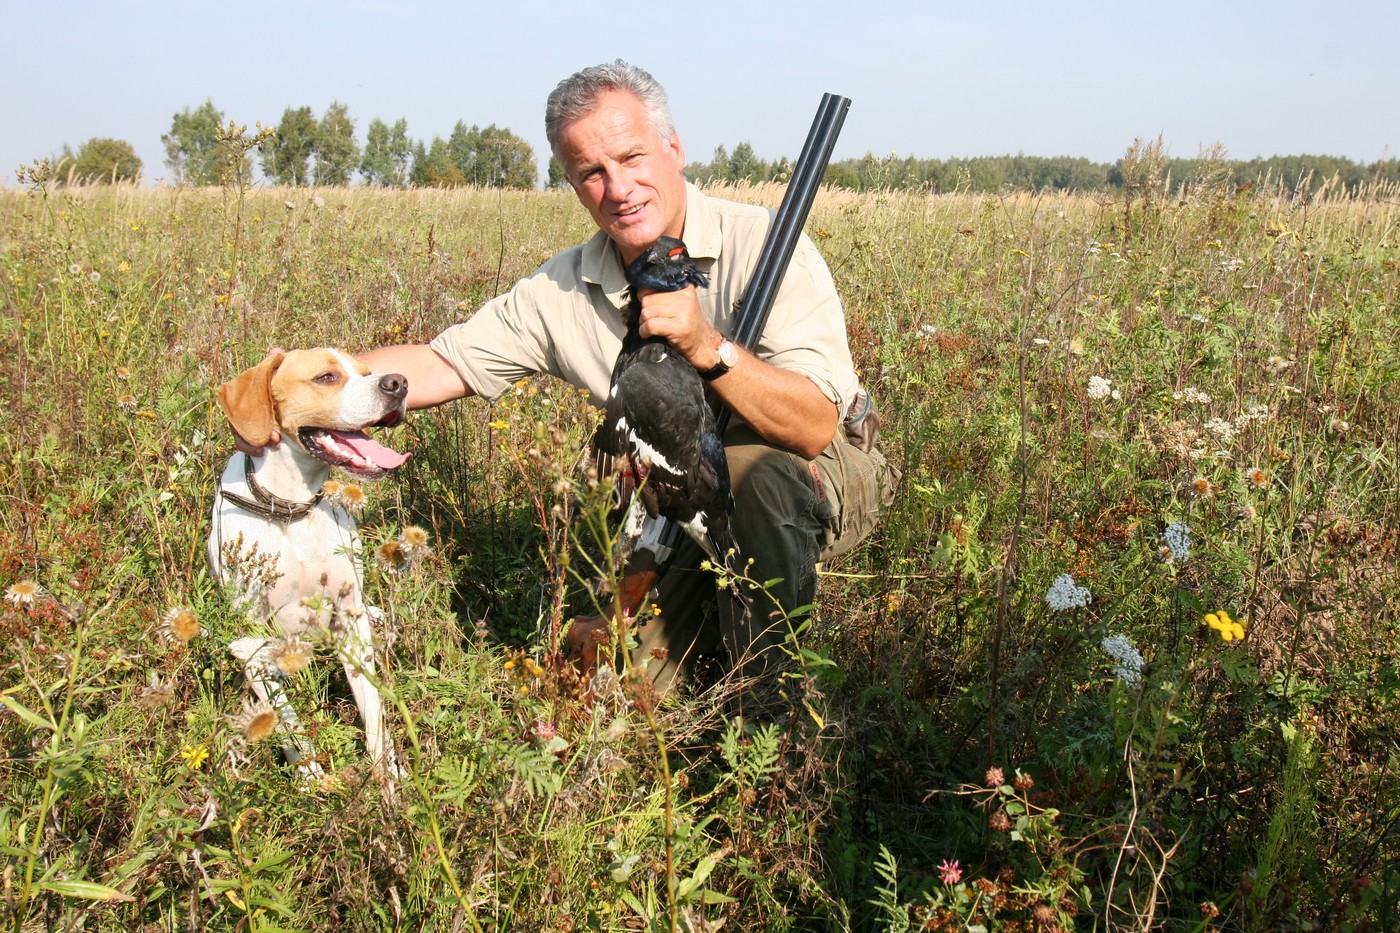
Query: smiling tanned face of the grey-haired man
[{"x": 626, "y": 176}]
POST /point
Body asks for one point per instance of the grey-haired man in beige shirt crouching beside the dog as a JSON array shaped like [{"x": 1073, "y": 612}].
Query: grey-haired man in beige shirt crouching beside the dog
[{"x": 803, "y": 492}]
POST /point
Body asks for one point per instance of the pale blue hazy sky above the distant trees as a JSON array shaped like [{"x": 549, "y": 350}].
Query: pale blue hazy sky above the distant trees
[{"x": 933, "y": 81}]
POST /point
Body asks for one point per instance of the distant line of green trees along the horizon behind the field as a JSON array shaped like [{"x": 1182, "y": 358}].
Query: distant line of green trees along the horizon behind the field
[{"x": 309, "y": 151}]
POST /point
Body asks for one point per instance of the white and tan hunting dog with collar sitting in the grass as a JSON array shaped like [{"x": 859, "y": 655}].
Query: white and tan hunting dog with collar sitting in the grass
[{"x": 288, "y": 550}]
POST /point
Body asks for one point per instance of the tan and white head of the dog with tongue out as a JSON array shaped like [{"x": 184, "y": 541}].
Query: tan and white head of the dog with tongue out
[{"x": 323, "y": 401}]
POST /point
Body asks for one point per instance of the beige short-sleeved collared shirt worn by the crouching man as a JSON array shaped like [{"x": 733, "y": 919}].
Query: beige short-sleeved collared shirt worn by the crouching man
[{"x": 566, "y": 317}]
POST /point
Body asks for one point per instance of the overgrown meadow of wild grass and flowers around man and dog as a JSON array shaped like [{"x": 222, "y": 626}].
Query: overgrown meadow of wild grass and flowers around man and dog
[{"x": 1186, "y": 403}]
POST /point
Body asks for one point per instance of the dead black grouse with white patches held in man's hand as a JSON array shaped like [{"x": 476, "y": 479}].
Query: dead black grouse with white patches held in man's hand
[{"x": 657, "y": 424}]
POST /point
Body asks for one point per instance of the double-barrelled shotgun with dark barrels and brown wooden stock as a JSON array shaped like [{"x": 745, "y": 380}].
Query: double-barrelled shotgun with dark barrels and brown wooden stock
[{"x": 589, "y": 634}]
